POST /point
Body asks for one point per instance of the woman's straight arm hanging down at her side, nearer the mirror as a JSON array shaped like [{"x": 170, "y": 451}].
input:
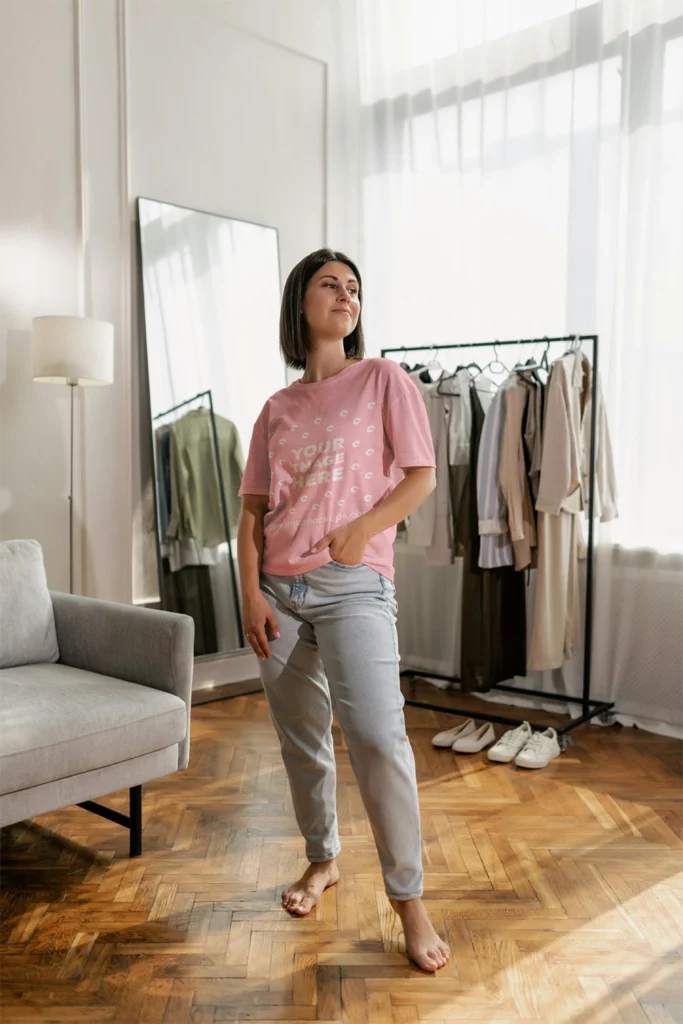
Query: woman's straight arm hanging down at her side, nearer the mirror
[{"x": 257, "y": 611}]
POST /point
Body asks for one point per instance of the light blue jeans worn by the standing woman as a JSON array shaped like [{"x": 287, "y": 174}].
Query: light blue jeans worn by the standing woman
[{"x": 338, "y": 650}]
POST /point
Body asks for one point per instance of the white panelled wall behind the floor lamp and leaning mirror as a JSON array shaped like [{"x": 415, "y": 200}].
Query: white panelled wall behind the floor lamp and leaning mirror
[{"x": 223, "y": 105}]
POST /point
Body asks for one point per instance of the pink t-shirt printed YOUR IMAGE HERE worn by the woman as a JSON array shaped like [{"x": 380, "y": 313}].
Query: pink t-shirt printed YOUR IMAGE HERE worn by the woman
[{"x": 328, "y": 452}]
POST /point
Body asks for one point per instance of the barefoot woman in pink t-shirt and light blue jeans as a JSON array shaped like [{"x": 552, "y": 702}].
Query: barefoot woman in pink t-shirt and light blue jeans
[{"x": 323, "y": 491}]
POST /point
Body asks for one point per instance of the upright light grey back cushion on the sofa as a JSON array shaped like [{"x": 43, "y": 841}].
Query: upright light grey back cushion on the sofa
[{"x": 27, "y": 621}]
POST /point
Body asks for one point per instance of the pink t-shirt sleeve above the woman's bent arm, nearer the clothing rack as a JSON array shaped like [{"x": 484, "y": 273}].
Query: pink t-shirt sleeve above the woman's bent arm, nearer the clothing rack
[{"x": 406, "y": 422}]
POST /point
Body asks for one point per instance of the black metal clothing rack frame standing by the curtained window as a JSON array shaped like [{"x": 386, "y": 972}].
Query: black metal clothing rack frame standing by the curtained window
[{"x": 590, "y": 707}]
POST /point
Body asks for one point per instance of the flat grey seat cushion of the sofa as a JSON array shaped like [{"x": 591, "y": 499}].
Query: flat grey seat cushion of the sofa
[{"x": 57, "y": 721}]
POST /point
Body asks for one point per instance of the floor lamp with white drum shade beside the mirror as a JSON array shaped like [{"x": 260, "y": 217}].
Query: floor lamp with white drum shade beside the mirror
[{"x": 78, "y": 353}]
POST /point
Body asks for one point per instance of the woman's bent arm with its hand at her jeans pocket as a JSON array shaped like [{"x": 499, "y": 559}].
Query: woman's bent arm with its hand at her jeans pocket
[{"x": 350, "y": 541}]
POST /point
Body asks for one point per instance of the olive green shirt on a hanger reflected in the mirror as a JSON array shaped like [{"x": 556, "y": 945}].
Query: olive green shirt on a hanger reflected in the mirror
[{"x": 197, "y": 510}]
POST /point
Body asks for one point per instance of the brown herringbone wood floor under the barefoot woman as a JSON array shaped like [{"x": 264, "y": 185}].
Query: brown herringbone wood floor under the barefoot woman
[{"x": 561, "y": 892}]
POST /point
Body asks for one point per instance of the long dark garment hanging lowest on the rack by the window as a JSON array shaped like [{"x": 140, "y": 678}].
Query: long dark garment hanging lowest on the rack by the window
[{"x": 494, "y": 613}]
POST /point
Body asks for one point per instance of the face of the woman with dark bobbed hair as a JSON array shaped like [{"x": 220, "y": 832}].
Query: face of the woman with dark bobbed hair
[{"x": 331, "y": 305}]
